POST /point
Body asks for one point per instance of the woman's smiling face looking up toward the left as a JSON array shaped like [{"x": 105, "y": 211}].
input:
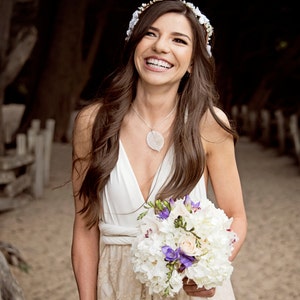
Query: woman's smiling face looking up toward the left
[{"x": 164, "y": 54}]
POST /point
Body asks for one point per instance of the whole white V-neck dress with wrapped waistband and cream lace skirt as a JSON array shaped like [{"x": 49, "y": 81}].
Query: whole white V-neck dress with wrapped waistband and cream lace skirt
[{"x": 122, "y": 203}]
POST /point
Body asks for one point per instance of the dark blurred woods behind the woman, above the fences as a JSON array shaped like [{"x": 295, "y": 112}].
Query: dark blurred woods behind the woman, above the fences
[{"x": 54, "y": 54}]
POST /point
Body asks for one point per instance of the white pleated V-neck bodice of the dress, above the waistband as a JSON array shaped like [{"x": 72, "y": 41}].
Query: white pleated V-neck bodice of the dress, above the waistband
[{"x": 122, "y": 198}]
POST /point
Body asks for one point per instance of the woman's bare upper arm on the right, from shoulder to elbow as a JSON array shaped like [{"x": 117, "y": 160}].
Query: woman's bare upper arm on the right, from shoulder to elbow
[{"x": 221, "y": 165}]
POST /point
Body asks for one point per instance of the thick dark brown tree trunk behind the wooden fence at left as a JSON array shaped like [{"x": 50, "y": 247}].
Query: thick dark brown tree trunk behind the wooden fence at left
[{"x": 66, "y": 69}]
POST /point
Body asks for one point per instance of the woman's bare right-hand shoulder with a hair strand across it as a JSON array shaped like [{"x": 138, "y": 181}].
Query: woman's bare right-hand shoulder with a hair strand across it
[{"x": 211, "y": 130}]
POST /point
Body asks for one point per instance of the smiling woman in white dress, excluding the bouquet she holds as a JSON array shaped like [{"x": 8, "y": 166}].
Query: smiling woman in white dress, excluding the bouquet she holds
[{"x": 155, "y": 133}]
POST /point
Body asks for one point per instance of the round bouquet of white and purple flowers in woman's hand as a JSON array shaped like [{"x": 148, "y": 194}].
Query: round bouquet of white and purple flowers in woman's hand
[{"x": 180, "y": 239}]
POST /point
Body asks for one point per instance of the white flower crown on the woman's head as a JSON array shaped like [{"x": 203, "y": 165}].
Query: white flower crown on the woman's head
[{"x": 203, "y": 20}]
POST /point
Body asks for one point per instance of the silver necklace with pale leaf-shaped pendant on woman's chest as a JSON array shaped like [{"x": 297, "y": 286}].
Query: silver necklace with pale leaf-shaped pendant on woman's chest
[{"x": 154, "y": 138}]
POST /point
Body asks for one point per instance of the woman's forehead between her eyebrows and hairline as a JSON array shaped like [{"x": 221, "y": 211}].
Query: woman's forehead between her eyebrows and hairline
[{"x": 173, "y": 22}]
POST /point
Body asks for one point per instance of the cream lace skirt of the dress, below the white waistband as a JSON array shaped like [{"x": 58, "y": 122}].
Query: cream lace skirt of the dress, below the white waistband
[{"x": 116, "y": 279}]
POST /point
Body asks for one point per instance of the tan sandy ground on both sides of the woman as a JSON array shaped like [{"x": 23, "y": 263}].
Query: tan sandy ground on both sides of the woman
[{"x": 268, "y": 266}]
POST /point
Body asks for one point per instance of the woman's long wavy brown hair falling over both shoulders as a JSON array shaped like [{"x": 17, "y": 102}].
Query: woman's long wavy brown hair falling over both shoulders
[{"x": 197, "y": 94}]
